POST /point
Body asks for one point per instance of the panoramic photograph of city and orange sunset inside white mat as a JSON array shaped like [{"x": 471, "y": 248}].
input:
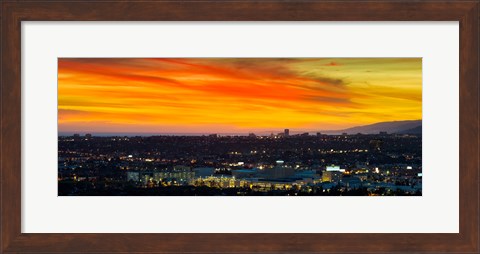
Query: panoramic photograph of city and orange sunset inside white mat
[{"x": 239, "y": 127}]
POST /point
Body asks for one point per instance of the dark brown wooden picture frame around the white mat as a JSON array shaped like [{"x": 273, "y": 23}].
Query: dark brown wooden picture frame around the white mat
[{"x": 13, "y": 12}]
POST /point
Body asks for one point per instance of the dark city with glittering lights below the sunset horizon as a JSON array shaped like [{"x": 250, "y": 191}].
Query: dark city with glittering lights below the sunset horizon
[{"x": 280, "y": 165}]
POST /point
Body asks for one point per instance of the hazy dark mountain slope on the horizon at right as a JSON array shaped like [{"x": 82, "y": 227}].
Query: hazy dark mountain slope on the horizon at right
[{"x": 402, "y": 127}]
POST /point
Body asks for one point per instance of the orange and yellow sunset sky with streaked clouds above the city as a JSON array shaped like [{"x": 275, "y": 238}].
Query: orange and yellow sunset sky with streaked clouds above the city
[{"x": 234, "y": 95}]
